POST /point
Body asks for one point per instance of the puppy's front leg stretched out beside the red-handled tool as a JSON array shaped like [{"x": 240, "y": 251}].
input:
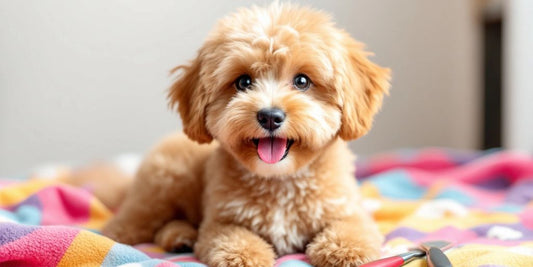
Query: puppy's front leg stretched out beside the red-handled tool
[{"x": 348, "y": 242}]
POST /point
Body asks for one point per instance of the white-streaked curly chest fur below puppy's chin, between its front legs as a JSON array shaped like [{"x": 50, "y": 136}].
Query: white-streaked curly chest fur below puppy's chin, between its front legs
[{"x": 287, "y": 216}]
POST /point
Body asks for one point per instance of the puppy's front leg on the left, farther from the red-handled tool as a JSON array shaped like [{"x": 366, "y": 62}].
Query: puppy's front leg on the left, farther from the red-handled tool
[{"x": 231, "y": 246}]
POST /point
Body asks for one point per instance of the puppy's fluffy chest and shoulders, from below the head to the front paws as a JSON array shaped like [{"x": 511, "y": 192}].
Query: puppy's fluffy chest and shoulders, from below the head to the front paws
[{"x": 286, "y": 212}]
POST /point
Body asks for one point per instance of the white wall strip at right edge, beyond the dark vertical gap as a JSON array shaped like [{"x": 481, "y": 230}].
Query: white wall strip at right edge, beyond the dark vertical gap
[{"x": 518, "y": 112}]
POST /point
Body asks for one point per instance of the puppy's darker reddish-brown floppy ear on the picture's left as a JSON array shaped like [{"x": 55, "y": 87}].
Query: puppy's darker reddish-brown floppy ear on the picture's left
[{"x": 187, "y": 94}]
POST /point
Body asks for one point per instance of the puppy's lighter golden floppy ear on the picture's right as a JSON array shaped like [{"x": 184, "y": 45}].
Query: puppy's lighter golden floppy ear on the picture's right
[{"x": 363, "y": 86}]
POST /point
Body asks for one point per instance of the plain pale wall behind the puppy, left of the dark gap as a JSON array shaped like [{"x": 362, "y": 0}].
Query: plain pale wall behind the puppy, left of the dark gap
[{"x": 86, "y": 79}]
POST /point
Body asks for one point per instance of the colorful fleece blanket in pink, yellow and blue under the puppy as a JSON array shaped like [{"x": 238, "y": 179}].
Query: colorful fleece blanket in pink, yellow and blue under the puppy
[{"x": 481, "y": 202}]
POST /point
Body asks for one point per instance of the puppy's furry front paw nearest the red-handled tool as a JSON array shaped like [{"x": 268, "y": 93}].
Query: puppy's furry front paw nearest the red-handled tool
[{"x": 328, "y": 249}]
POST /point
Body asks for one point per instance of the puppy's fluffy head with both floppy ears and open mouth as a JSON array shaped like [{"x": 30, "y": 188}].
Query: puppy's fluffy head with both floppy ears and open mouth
[{"x": 276, "y": 85}]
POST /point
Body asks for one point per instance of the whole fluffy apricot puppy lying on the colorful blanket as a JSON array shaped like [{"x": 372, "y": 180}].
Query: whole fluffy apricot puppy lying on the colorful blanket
[{"x": 267, "y": 105}]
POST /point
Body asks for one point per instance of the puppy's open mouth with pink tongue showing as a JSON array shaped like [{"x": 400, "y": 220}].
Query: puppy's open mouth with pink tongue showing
[{"x": 272, "y": 149}]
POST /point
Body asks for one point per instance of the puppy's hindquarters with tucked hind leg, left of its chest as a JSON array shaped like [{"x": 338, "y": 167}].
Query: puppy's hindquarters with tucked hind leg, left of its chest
[{"x": 167, "y": 186}]
